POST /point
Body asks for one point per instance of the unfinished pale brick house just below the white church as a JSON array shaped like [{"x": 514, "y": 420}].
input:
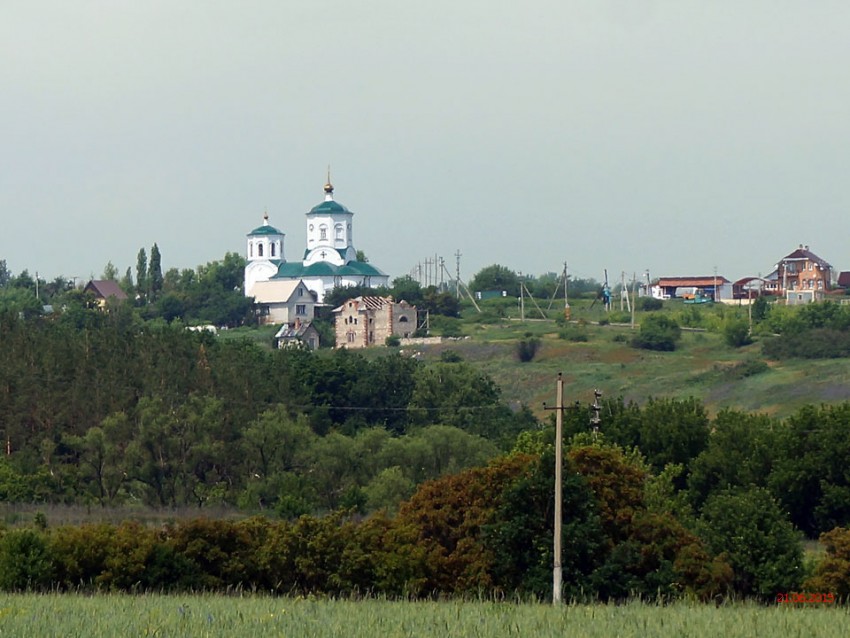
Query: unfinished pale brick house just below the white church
[{"x": 366, "y": 321}]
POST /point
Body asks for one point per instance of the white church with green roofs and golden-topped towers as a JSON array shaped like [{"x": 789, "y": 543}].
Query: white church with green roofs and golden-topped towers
[{"x": 330, "y": 259}]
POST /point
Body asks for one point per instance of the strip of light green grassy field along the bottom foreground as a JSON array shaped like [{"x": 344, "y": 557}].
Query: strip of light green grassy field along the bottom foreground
[{"x": 219, "y": 616}]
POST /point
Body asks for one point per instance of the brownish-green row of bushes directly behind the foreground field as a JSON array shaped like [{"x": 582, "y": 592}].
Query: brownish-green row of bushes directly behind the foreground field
[{"x": 483, "y": 529}]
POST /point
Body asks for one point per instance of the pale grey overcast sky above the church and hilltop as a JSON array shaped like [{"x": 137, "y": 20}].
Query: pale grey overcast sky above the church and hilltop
[{"x": 672, "y": 136}]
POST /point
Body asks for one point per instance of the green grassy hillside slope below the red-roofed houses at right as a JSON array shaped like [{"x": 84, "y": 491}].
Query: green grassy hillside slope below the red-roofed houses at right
[{"x": 703, "y": 366}]
